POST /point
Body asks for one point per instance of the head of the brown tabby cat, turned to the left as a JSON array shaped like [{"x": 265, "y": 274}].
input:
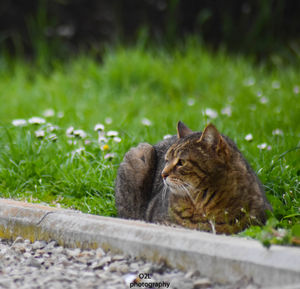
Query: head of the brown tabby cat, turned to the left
[{"x": 196, "y": 159}]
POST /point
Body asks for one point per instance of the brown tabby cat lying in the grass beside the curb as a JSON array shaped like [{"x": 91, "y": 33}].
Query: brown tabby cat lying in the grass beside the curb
[{"x": 195, "y": 180}]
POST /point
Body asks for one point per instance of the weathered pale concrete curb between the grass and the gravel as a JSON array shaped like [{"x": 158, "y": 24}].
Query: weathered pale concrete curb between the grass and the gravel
[{"x": 222, "y": 258}]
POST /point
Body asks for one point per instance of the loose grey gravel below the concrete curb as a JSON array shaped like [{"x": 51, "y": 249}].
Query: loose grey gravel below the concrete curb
[{"x": 46, "y": 265}]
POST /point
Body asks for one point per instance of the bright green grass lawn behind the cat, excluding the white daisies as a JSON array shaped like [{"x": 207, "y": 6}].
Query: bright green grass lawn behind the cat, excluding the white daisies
[{"x": 129, "y": 85}]
